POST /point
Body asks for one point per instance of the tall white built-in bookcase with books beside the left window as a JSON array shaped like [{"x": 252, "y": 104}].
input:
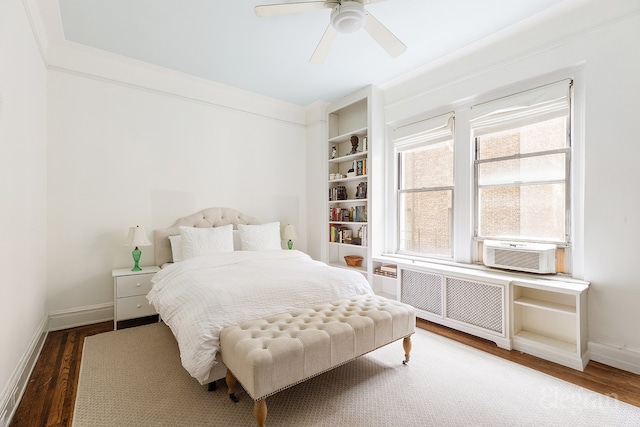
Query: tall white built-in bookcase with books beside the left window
[{"x": 350, "y": 139}]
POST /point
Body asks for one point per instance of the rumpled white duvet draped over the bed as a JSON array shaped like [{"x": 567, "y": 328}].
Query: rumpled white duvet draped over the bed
[{"x": 199, "y": 297}]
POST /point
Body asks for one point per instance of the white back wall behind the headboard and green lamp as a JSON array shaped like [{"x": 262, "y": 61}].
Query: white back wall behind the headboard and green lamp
[{"x": 122, "y": 155}]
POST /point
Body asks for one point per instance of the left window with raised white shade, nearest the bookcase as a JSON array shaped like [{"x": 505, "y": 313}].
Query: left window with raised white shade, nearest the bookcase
[{"x": 425, "y": 180}]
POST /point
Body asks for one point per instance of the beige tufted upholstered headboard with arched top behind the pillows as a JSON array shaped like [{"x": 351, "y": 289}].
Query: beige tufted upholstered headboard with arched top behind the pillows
[{"x": 211, "y": 217}]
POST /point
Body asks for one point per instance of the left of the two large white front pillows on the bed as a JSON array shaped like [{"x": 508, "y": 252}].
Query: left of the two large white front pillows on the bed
[{"x": 206, "y": 241}]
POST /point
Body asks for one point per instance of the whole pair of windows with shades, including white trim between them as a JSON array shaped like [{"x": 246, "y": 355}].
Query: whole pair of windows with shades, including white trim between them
[{"x": 507, "y": 170}]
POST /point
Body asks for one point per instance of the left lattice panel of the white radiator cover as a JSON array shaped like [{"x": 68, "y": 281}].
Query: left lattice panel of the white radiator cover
[{"x": 422, "y": 290}]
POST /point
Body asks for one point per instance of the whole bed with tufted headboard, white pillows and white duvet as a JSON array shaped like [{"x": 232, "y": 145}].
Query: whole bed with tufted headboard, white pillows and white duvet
[{"x": 225, "y": 269}]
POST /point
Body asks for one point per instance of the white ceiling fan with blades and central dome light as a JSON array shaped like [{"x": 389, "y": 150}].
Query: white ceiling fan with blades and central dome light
[{"x": 347, "y": 16}]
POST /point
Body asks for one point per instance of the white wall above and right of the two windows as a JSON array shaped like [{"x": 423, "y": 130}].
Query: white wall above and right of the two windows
[{"x": 606, "y": 64}]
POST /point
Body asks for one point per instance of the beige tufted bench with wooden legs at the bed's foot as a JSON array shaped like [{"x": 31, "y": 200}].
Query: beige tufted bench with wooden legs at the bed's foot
[{"x": 272, "y": 354}]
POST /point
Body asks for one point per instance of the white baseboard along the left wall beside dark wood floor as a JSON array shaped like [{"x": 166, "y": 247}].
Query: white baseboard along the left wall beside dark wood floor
[{"x": 17, "y": 384}]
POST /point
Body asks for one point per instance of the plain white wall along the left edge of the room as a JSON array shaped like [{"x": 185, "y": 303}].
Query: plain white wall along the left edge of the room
[{"x": 23, "y": 195}]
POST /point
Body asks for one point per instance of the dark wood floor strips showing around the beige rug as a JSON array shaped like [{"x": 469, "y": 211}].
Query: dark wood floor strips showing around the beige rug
[{"x": 51, "y": 392}]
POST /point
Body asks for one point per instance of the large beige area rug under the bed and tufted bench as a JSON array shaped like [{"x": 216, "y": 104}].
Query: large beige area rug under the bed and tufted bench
[{"x": 133, "y": 377}]
